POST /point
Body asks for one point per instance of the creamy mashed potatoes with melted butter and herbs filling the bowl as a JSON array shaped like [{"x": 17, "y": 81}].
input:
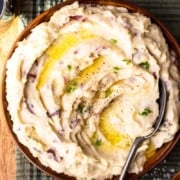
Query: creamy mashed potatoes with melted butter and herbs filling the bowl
[{"x": 84, "y": 85}]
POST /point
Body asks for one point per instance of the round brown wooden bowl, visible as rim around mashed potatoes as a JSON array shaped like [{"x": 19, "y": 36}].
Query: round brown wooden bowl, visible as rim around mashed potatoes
[{"x": 45, "y": 16}]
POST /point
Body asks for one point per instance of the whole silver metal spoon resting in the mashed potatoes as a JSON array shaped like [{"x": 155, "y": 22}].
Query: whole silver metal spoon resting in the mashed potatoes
[{"x": 162, "y": 106}]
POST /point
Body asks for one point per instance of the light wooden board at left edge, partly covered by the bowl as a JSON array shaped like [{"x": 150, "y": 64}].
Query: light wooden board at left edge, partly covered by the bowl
[{"x": 8, "y": 34}]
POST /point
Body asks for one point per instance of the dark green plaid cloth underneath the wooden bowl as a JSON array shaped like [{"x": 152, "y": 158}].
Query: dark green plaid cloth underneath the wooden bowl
[{"x": 168, "y": 11}]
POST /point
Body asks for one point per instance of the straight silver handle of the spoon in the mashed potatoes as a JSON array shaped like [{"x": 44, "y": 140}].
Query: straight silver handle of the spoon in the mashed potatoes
[{"x": 131, "y": 155}]
